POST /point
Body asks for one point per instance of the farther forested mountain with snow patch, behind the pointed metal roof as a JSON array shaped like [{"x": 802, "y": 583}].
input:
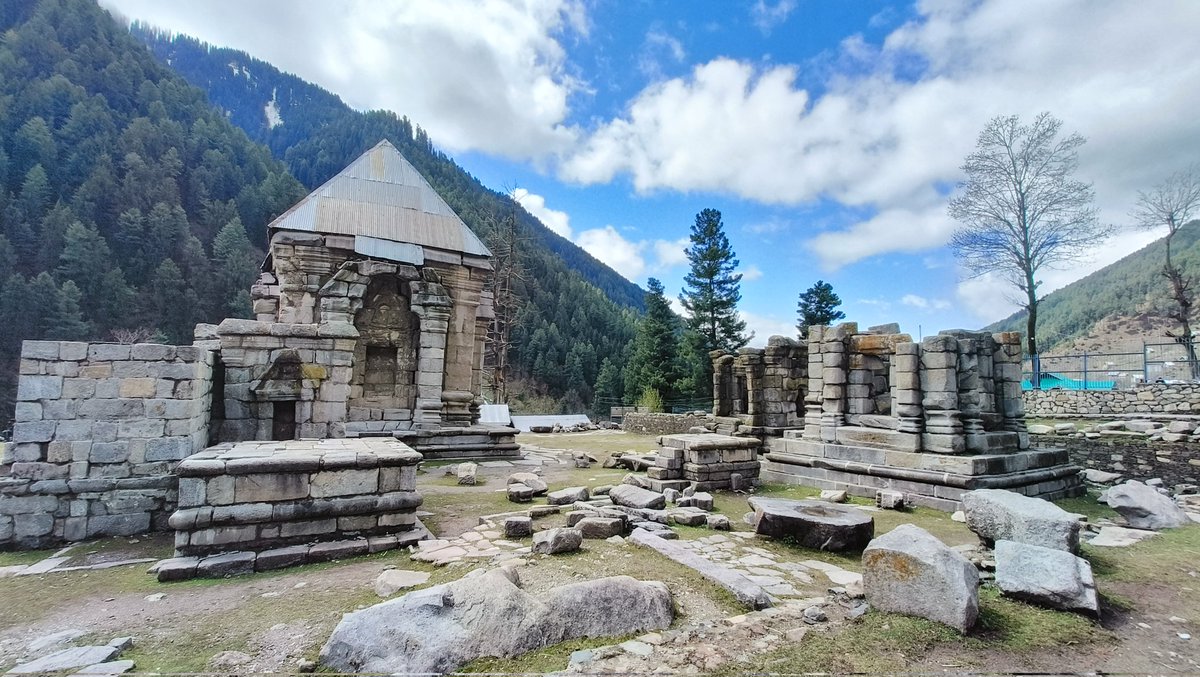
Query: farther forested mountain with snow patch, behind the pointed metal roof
[{"x": 574, "y": 311}]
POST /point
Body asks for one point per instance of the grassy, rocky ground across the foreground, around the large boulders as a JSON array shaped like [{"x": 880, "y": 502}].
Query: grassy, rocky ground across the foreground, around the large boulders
[{"x": 279, "y": 621}]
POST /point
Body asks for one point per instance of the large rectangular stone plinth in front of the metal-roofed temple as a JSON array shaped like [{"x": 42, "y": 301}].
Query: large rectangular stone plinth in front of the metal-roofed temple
[{"x": 256, "y": 496}]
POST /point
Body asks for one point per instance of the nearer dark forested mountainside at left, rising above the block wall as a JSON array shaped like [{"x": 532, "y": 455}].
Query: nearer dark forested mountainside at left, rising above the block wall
[{"x": 128, "y": 203}]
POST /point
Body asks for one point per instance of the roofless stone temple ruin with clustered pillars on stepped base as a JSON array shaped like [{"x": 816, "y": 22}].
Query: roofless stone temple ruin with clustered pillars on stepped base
[{"x": 874, "y": 410}]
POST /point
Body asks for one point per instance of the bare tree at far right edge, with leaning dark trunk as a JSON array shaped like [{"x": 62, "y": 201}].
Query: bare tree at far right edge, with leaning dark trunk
[{"x": 1173, "y": 205}]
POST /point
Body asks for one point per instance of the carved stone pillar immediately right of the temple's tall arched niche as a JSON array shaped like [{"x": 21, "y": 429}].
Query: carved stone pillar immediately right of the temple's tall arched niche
[{"x": 433, "y": 305}]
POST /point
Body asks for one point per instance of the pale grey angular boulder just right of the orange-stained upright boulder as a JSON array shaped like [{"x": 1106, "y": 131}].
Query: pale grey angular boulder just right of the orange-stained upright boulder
[{"x": 1046, "y": 577}]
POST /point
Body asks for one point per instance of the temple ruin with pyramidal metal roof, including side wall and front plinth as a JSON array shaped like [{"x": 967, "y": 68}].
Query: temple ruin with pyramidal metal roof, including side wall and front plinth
[{"x": 368, "y": 344}]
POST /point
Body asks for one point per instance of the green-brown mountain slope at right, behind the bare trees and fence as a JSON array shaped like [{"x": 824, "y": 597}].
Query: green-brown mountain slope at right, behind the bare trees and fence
[{"x": 1129, "y": 287}]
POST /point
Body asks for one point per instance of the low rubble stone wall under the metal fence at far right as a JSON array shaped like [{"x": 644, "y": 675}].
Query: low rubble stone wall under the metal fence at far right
[{"x": 1149, "y": 399}]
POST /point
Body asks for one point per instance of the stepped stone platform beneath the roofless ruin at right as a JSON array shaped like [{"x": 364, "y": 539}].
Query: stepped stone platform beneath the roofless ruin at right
[{"x": 934, "y": 481}]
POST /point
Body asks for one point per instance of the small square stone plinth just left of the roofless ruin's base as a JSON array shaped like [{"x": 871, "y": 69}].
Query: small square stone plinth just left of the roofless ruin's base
[{"x": 706, "y": 462}]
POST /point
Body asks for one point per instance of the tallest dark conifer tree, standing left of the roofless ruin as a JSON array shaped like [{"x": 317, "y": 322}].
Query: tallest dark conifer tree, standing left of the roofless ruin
[{"x": 712, "y": 290}]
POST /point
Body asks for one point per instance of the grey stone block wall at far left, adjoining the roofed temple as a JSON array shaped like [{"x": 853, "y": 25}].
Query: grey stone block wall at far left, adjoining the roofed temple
[{"x": 99, "y": 429}]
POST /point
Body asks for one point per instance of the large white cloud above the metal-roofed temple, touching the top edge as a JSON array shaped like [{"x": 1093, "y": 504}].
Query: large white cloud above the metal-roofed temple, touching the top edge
[{"x": 477, "y": 75}]
